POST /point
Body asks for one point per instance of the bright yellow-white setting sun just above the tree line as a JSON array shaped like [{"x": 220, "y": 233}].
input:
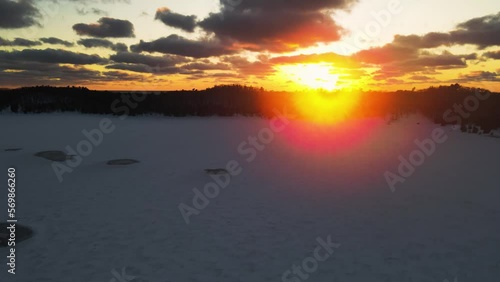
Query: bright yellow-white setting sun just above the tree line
[{"x": 313, "y": 76}]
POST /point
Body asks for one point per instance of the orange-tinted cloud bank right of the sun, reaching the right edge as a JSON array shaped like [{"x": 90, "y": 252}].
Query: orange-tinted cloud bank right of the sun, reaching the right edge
[{"x": 407, "y": 53}]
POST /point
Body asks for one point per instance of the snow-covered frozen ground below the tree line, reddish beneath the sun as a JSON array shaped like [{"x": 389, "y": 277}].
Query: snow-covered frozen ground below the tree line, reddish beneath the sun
[{"x": 308, "y": 182}]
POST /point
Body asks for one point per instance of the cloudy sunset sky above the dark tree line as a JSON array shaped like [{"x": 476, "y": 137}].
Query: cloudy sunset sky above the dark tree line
[{"x": 286, "y": 45}]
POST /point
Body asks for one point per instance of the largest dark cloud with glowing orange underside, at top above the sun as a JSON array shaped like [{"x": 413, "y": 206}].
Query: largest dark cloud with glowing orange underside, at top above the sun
[{"x": 277, "y": 26}]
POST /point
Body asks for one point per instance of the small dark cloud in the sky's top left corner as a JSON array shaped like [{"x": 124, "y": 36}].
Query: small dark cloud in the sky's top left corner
[{"x": 18, "y": 14}]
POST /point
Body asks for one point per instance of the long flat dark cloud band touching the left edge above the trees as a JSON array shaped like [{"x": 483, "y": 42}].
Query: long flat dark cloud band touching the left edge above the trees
[{"x": 50, "y": 56}]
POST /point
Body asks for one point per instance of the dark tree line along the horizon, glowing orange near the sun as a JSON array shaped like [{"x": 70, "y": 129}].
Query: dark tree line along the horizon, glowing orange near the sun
[{"x": 453, "y": 104}]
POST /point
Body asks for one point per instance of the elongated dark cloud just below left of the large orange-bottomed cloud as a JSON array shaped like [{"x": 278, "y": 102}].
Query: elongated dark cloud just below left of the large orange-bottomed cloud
[{"x": 178, "y": 45}]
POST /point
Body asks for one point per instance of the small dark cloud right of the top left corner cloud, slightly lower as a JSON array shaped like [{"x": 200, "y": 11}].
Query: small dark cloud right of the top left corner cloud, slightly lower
[{"x": 106, "y": 27}]
